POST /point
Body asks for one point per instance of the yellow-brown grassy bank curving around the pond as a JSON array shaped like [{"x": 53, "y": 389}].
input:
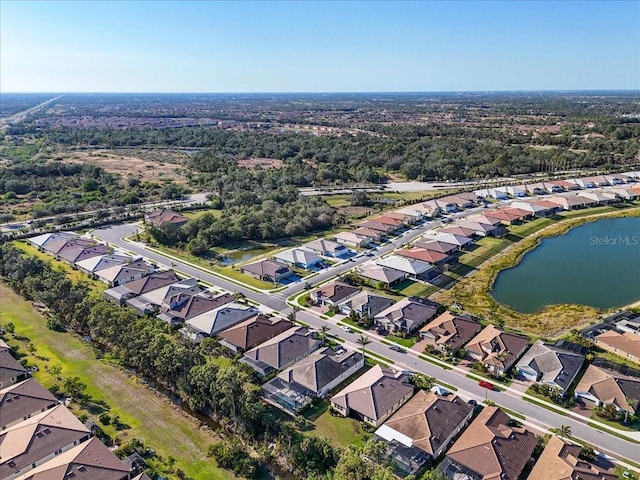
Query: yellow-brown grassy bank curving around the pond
[{"x": 472, "y": 292}]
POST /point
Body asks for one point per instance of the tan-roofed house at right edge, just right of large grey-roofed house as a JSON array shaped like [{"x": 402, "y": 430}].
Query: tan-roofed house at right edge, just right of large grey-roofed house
[{"x": 601, "y": 387}]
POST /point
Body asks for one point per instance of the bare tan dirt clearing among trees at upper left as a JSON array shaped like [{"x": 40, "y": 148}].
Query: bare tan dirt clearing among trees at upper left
[{"x": 154, "y": 165}]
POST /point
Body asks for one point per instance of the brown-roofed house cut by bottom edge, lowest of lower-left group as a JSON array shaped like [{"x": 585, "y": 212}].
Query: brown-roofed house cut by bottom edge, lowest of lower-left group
[{"x": 90, "y": 460}]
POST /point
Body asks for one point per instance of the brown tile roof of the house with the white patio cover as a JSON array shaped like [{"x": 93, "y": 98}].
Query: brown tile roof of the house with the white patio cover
[{"x": 429, "y": 419}]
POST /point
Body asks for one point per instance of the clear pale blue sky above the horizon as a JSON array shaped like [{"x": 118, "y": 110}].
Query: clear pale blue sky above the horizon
[{"x": 328, "y": 46}]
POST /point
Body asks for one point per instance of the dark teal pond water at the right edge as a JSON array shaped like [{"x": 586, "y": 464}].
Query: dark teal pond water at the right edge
[{"x": 595, "y": 264}]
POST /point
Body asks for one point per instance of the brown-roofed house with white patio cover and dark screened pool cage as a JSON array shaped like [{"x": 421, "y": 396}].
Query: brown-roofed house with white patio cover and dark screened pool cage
[{"x": 421, "y": 430}]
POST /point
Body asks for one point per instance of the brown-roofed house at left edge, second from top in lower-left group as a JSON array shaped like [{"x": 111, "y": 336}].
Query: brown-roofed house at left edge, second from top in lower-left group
[{"x": 21, "y": 401}]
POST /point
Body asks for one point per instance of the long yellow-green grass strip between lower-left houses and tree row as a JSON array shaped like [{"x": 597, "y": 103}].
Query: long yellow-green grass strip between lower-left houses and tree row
[{"x": 148, "y": 415}]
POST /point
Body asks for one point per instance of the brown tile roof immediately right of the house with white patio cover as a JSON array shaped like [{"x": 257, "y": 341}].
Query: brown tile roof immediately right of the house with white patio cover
[{"x": 491, "y": 448}]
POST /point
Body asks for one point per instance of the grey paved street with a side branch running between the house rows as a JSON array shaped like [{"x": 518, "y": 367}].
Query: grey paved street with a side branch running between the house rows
[{"x": 467, "y": 388}]
